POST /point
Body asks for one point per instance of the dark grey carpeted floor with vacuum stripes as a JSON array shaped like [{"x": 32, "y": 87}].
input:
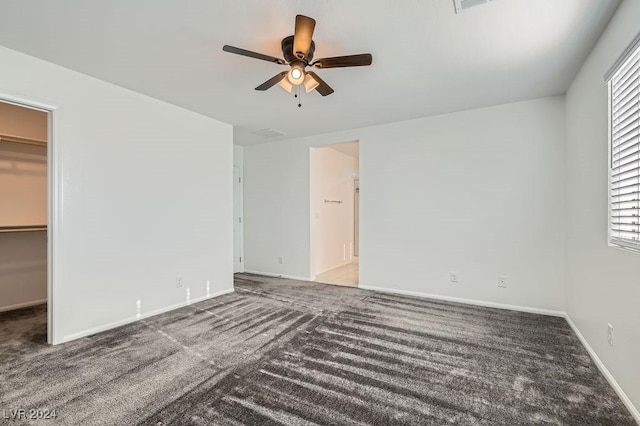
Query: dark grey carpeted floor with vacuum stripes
[{"x": 289, "y": 352}]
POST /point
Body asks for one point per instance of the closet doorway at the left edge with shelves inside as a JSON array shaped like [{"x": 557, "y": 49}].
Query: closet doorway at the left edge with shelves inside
[{"x": 25, "y": 232}]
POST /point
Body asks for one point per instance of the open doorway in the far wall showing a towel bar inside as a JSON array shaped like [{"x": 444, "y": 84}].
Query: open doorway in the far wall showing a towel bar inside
[{"x": 335, "y": 186}]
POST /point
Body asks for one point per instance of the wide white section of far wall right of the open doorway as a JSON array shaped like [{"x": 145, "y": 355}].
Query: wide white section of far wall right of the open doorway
[{"x": 479, "y": 193}]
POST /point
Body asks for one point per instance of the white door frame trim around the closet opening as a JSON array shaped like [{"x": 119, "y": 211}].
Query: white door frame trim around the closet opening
[{"x": 54, "y": 199}]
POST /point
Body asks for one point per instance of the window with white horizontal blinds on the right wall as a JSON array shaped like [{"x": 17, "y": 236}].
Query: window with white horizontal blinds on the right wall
[{"x": 624, "y": 126}]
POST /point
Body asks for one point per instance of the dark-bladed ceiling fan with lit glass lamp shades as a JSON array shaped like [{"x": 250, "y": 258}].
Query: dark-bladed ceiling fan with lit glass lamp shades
[{"x": 298, "y": 52}]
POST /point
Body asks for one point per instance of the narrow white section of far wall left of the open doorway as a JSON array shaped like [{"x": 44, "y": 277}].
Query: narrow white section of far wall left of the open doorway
[{"x": 277, "y": 209}]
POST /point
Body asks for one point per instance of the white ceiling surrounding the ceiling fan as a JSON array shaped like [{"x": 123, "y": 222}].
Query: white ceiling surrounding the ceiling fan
[{"x": 426, "y": 59}]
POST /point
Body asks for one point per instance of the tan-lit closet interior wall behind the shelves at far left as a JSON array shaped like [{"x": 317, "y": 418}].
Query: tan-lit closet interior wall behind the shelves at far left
[{"x": 23, "y": 201}]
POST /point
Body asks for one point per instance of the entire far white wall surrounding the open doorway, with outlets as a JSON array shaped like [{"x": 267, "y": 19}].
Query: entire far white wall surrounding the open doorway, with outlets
[{"x": 477, "y": 192}]
